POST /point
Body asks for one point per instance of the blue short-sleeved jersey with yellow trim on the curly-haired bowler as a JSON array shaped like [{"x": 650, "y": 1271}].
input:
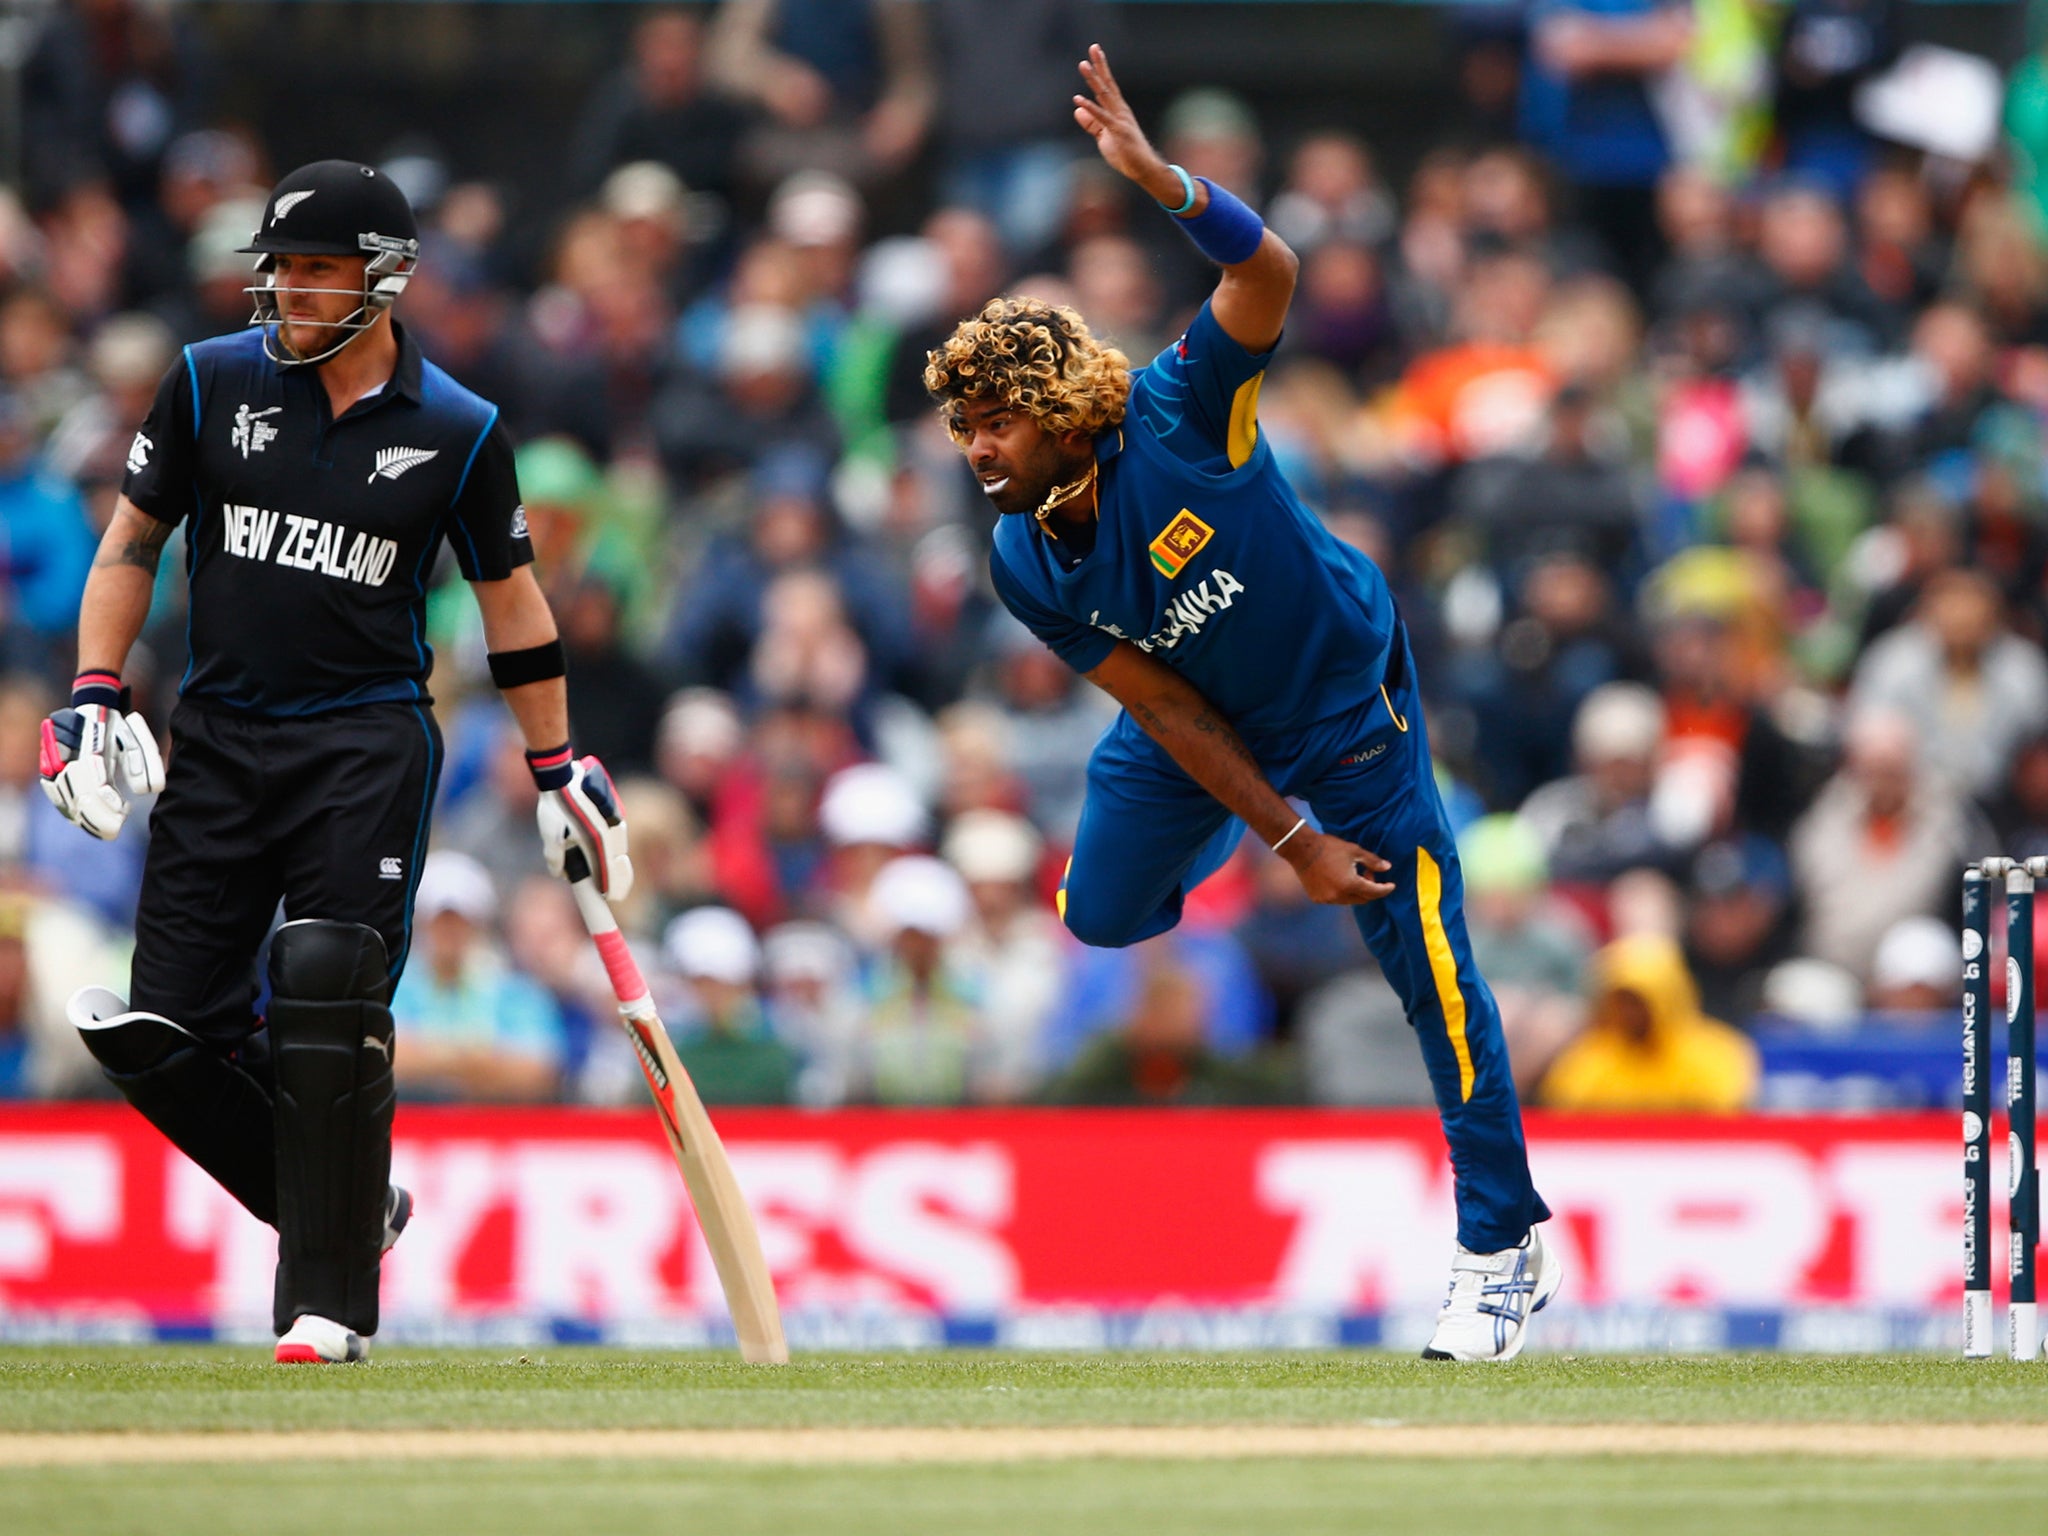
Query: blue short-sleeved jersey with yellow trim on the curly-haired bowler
[{"x": 1207, "y": 560}]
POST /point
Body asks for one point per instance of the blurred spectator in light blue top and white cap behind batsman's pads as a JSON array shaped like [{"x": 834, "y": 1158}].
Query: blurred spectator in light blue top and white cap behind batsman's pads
[{"x": 468, "y": 1025}]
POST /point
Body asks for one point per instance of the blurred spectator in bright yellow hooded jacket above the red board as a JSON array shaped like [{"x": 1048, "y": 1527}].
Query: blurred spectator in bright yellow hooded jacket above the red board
[{"x": 1648, "y": 1046}]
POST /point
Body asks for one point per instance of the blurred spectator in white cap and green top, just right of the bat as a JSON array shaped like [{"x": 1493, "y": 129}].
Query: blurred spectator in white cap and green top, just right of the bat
[{"x": 724, "y": 1035}]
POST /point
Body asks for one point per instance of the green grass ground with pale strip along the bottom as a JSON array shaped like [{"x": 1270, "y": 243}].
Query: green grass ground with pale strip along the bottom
[{"x": 585, "y": 1490}]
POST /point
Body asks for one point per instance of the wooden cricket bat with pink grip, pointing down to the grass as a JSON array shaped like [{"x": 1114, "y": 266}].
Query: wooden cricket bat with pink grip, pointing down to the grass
[{"x": 722, "y": 1209}]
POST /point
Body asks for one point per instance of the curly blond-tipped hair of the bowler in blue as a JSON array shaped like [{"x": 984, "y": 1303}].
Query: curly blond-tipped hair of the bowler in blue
[{"x": 1035, "y": 357}]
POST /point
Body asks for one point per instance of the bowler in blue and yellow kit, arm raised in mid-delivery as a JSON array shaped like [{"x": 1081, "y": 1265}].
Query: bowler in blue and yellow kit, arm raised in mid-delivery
[{"x": 1150, "y": 540}]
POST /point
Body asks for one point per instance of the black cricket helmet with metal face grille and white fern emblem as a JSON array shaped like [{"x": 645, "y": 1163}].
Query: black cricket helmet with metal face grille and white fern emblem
[{"x": 335, "y": 208}]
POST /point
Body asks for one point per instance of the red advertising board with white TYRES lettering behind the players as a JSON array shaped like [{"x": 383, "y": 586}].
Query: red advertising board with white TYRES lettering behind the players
[{"x": 1023, "y": 1228}]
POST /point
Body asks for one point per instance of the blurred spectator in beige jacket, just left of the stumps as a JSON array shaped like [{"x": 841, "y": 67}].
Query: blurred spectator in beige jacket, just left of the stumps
[{"x": 1881, "y": 843}]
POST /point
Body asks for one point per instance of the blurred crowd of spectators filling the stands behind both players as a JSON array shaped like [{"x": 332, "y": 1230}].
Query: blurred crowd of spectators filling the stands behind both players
[{"x": 1697, "y": 427}]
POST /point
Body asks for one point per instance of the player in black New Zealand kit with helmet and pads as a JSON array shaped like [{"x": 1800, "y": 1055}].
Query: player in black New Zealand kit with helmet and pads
[{"x": 316, "y": 462}]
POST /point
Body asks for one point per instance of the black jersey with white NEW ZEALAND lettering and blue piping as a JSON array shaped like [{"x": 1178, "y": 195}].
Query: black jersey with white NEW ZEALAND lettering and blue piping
[{"x": 310, "y": 538}]
